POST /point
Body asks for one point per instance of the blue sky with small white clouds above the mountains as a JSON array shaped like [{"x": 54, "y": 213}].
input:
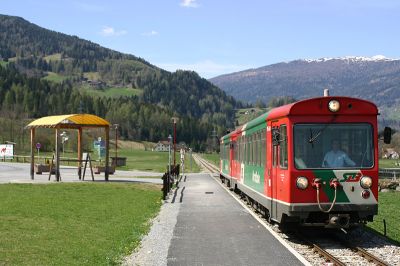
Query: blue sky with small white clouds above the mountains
[{"x": 214, "y": 37}]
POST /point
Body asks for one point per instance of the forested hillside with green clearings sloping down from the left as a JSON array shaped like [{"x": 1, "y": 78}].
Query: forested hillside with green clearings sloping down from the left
[{"x": 43, "y": 72}]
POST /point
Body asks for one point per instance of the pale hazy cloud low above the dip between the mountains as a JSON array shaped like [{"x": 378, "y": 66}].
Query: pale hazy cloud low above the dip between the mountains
[{"x": 205, "y": 68}]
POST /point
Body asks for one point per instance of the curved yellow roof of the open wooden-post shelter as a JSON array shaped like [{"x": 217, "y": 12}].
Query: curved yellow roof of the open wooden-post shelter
[{"x": 69, "y": 121}]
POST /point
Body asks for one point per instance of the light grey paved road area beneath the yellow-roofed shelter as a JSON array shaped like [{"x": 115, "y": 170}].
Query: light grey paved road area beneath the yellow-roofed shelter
[{"x": 20, "y": 173}]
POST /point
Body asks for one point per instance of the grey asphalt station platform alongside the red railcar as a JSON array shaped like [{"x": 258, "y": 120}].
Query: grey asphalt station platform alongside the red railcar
[{"x": 214, "y": 229}]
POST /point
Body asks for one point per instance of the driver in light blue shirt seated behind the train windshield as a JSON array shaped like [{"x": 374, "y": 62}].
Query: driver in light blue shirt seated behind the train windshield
[{"x": 336, "y": 157}]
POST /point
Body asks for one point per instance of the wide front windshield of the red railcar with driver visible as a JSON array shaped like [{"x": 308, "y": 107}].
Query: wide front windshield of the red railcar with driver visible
[{"x": 333, "y": 146}]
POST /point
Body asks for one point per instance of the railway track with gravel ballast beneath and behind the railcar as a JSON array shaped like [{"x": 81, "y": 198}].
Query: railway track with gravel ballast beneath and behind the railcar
[{"x": 331, "y": 248}]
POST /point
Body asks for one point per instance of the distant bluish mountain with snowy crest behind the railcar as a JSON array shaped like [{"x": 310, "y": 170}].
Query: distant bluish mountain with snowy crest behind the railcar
[{"x": 372, "y": 78}]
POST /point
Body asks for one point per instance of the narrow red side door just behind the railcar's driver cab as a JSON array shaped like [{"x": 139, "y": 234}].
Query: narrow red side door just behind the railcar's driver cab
[{"x": 274, "y": 172}]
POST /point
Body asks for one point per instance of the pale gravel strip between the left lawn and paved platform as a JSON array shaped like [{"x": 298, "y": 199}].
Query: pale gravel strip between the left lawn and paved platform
[{"x": 154, "y": 247}]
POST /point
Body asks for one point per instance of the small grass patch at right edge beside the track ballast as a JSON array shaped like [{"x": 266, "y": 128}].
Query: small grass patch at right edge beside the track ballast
[{"x": 388, "y": 210}]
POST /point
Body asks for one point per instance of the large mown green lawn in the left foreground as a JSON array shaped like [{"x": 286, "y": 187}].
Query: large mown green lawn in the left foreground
[{"x": 73, "y": 224}]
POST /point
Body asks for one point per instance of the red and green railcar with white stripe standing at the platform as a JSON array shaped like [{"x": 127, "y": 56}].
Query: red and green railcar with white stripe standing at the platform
[{"x": 286, "y": 162}]
